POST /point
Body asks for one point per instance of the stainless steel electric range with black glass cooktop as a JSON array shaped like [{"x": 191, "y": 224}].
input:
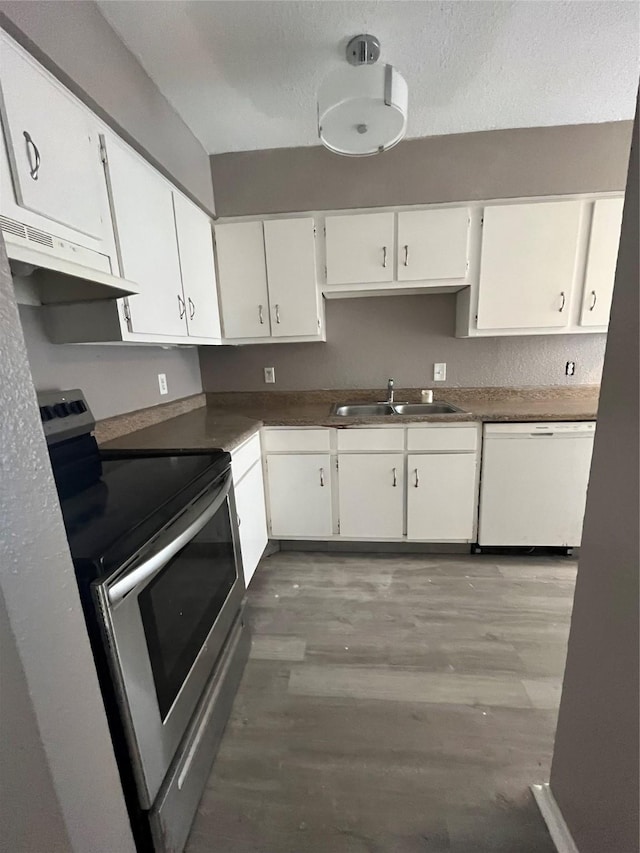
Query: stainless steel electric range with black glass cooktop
[{"x": 153, "y": 538}]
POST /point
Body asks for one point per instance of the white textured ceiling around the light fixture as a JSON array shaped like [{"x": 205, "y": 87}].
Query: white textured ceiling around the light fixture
[{"x": 243, "y": 74}]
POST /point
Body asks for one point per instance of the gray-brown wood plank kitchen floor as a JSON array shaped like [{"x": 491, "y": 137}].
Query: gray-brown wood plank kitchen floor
[{"x": 392, "y": 704}]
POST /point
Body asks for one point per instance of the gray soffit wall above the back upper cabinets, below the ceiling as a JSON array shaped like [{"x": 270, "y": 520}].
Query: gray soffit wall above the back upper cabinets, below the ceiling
[{"x": 460, "y": 167}]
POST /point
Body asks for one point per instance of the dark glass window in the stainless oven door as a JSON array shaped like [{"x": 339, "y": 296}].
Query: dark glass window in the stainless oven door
[{"x": 180, "y": 605}]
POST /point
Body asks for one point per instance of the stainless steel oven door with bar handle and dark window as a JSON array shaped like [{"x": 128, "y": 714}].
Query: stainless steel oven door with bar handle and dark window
[{"x": 167, "y": 614}]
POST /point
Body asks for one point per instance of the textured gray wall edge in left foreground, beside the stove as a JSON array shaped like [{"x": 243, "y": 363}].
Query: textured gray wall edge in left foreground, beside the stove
[{"x": 52, "y": 712}]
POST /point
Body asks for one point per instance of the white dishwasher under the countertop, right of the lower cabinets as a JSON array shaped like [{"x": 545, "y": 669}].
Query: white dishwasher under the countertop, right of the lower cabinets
[{"x": 533, "y": 485}]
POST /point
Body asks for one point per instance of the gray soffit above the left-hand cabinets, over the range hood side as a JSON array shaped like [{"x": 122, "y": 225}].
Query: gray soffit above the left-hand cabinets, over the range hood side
[{"x": 78, "y": 45}]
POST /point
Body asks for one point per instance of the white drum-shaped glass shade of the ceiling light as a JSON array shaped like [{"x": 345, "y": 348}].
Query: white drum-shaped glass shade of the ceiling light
[{"x": 362, "y": 110}]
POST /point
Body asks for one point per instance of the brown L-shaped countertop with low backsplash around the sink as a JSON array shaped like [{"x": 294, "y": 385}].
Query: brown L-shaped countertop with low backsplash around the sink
[{"x": 228, "y": 419}]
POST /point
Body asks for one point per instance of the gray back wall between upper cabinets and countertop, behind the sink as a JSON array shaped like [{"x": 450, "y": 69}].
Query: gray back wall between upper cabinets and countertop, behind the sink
[{"x": 370, "y": 339}]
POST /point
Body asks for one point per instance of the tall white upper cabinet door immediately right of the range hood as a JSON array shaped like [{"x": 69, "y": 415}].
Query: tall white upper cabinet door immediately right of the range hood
[{"x": 145, "y": 227}]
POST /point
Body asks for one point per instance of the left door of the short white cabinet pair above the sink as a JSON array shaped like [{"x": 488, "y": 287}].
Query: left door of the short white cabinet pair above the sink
[{"x": 360, "y": 248}]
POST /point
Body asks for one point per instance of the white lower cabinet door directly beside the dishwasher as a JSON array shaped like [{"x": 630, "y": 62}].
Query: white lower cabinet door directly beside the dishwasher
[{"x": 441, "y": 496}]
